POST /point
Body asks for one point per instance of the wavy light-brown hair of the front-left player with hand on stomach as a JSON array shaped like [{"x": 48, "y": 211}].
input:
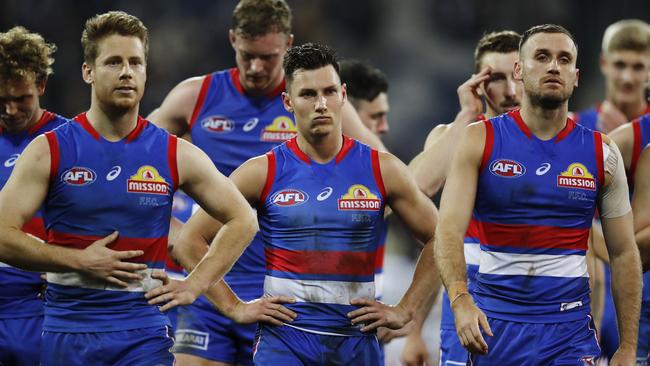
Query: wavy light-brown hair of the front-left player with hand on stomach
[{"x": 104, "y": 25}]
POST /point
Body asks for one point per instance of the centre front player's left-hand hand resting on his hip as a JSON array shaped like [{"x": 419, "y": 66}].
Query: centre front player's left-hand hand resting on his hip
[{"x": 266, "y": 310}]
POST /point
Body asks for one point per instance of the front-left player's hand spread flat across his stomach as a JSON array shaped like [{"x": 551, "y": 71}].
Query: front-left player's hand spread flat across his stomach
[{"x": 99, "y": 261}]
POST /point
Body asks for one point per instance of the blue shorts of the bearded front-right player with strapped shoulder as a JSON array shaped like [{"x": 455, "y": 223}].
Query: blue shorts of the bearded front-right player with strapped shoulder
[{"x": 531, "y": 344}]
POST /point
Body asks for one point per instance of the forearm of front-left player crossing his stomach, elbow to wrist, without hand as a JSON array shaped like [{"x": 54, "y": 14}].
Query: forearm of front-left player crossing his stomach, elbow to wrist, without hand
[{"x": 24, "y": 251}]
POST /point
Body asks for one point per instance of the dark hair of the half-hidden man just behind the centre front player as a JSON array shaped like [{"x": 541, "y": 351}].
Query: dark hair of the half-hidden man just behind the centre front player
[{"x": 364, "y": 82}]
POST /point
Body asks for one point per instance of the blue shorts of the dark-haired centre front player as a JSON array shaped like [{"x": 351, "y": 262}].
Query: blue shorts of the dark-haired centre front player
[{"x": 288, "y": 346}]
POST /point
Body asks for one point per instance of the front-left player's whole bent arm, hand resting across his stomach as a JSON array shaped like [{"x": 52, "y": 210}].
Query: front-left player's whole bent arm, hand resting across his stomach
[{"x": 23, "y": 194}]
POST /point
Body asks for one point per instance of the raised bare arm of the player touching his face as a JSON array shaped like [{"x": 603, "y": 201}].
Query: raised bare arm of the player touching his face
[{"x": 431, "y": 166}]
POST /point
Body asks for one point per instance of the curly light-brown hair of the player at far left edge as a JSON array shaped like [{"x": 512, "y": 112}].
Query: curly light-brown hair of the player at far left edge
[{"x": 23, "y": 53}]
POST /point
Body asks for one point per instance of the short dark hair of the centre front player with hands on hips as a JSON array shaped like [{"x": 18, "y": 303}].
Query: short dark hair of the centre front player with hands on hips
[{"x": 309, "y": 56}]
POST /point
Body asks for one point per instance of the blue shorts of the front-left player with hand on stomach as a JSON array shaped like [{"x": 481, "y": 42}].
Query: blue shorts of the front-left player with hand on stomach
[{"x": 138, "y": 347}]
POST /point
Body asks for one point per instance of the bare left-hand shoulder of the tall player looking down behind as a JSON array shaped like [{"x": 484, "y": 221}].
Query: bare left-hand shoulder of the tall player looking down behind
[{"x": 175, "y": 112}]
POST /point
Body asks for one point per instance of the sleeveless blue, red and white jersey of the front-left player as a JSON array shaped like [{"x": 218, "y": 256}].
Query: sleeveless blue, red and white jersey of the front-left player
[{"x": 98, "y": 187}]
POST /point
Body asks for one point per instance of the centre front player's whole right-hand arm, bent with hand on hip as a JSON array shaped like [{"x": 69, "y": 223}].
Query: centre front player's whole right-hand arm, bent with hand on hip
[{"x": 420, "y": 216}]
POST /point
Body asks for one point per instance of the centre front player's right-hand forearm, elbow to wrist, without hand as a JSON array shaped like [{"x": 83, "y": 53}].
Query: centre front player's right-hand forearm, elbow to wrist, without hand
[{"x": 424, "y": 288}]
